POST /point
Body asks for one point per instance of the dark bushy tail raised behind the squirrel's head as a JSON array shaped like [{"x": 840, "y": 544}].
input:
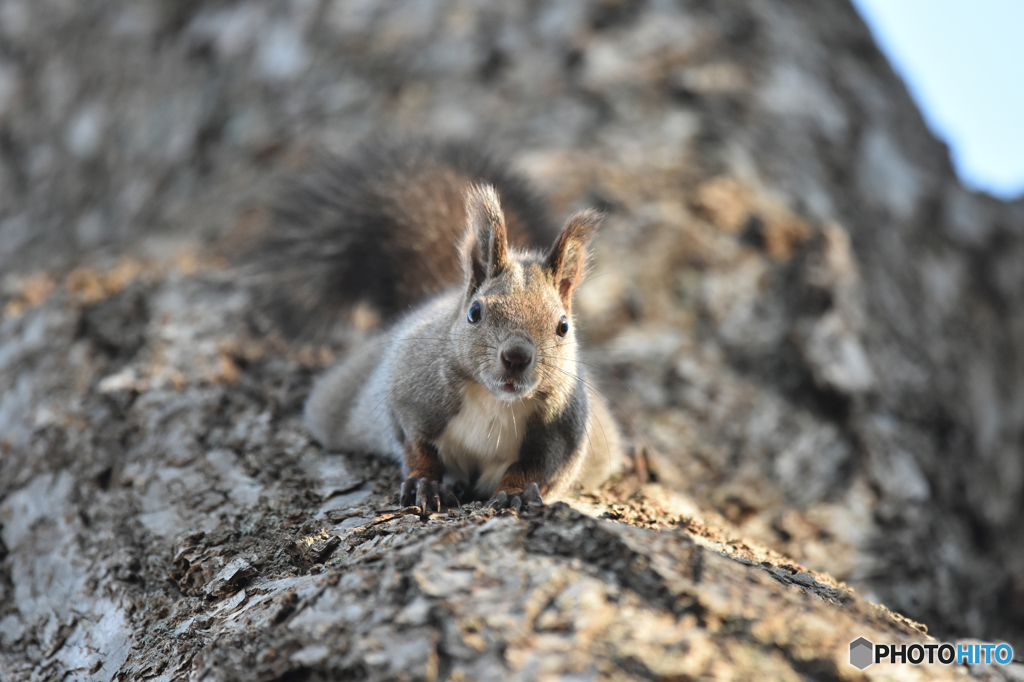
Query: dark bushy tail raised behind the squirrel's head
[{"x": 380, "y": 227}]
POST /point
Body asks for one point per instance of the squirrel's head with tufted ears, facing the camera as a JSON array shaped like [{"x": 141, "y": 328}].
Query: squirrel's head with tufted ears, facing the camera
[{"x": 516, "y": 333}]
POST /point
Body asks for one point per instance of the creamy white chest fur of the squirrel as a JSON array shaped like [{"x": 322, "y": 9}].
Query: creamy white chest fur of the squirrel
[{"x": 484, "y": 439}]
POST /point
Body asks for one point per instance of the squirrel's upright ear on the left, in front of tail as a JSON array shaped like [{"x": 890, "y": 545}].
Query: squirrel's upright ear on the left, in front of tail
[{"x": 485, "y": 248}]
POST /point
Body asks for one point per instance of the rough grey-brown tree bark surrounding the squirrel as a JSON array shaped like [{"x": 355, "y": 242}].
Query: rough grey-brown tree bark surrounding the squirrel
[{"x": 796, "y": 305}]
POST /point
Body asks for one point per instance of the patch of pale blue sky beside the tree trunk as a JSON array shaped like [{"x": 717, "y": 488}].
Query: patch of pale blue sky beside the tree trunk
[{"x": 963, "y": 62}]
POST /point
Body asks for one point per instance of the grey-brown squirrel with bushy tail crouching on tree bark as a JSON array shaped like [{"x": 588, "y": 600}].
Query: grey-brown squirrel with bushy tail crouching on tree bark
[{"x": 477, "y": 390}]
